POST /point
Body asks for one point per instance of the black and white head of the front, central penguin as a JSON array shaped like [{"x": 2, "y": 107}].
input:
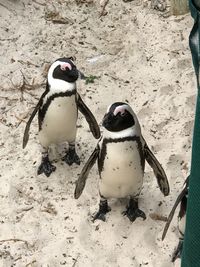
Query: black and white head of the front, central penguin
[{"x": 119, "y": 117}]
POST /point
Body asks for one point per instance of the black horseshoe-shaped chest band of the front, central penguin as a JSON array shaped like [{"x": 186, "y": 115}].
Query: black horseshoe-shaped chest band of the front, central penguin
[{"x": 103, "y": 151}]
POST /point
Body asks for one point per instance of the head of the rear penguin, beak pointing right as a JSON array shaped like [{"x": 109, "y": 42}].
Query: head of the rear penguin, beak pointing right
[{"x": 64, "y": 69}]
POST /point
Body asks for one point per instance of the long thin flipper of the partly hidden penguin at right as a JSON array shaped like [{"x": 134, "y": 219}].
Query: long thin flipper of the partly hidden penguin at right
[{"x": 178, "y": 200}]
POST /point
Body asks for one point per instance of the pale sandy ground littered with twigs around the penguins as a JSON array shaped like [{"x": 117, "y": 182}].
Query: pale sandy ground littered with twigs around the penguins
[{"x": 139, "y": 56}]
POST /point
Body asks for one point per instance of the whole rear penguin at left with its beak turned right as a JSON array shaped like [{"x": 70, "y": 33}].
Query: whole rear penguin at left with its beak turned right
[{"x": 58, "y": 111}]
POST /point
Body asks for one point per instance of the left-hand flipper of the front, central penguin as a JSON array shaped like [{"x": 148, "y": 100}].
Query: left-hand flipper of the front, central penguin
[{"x": 80, "y": 184}]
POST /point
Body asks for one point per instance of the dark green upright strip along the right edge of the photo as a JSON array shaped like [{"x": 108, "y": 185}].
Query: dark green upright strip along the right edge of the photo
[{"x": 191, "y": 246}]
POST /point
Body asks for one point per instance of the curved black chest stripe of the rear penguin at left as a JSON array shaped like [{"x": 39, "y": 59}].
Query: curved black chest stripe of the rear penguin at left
[{"x": 43, "y": 109}]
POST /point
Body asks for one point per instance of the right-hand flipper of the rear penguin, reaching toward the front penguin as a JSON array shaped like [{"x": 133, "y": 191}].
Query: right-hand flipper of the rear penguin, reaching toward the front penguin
[{"x": 94, "y": 127}]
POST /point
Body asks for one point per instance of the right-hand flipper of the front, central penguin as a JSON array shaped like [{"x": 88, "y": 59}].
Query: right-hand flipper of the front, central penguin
[{"x": 158, "y": 170}]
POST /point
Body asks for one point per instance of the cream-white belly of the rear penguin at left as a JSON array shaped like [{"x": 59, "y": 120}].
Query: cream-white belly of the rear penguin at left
[{"x": 59, "y": 124}]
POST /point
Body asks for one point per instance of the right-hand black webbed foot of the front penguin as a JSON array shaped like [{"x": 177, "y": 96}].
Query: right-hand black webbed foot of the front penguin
[{"x": 133, "y": 212}]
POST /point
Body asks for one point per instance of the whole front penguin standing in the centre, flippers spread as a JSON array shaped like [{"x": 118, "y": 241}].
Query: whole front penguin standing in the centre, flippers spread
[{"x": 121, "y": 154}]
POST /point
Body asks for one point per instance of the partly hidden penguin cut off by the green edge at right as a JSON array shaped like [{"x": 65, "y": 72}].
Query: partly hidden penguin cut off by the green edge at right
[{"x": 182, "y": 200}]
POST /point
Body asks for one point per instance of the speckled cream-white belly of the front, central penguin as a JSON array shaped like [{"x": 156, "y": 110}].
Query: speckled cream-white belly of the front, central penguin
[{"x": 122, "y": 174}]
